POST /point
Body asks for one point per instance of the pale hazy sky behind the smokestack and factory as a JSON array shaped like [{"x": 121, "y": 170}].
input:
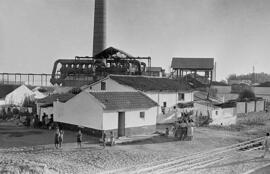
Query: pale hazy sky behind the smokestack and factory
[{"x": 35, "y": 33}]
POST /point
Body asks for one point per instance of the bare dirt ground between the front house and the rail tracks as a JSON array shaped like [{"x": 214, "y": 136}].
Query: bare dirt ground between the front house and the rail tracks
[{"x": 22, "y": 147}]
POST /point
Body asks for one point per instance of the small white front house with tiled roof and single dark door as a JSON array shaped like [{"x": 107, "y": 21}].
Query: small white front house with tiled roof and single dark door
[{"x": 124, "y": 113}]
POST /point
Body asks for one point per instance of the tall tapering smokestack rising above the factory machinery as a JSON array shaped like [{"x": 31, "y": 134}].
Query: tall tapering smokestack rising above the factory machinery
[{"x": 99, "y": 41}]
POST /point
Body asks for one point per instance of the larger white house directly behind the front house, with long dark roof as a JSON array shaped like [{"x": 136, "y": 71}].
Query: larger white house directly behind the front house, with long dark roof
[{"x": 166, "y": 92}]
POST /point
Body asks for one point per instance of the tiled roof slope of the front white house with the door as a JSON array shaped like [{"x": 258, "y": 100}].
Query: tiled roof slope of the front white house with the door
[{"x": 124, "y": 100}]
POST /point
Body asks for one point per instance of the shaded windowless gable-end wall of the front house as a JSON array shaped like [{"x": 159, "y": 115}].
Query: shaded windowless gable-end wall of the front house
[{"x": 82, "y": 110}]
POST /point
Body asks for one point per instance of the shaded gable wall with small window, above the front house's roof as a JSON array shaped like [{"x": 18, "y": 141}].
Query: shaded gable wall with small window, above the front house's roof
[{"x": 111, "y": 85}]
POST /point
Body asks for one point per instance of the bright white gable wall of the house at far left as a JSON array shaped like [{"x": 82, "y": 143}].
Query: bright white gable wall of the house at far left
[{"x": 17, "y": 96}]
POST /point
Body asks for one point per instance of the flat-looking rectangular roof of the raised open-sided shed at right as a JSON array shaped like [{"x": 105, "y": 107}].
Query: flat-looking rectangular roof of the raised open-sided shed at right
[{"x": 192, "y": 63}]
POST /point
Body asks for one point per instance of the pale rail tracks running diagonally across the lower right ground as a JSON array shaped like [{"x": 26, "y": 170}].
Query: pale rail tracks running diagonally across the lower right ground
[{"x": 191, "y": 162}]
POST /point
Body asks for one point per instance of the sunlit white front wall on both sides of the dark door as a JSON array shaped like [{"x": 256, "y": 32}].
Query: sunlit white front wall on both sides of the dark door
[{"x": 132, "y": 118}]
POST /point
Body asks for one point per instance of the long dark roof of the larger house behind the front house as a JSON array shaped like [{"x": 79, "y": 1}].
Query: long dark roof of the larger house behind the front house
[{"x": 144, "y": 83}]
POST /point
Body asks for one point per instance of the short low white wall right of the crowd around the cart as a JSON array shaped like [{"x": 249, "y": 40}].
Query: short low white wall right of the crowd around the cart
[{"x": 224, "y": 116}]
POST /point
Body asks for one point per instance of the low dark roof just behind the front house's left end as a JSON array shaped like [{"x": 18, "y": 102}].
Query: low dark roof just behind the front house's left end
[{"x": 51, "y": 98}]
